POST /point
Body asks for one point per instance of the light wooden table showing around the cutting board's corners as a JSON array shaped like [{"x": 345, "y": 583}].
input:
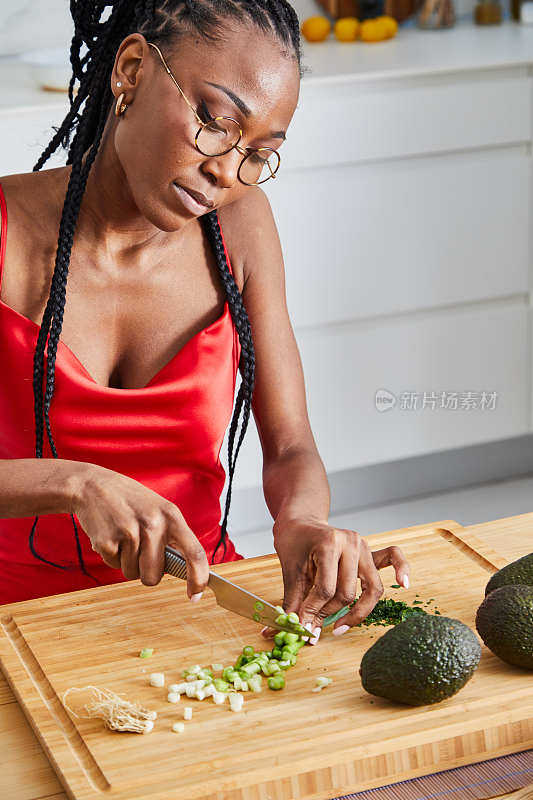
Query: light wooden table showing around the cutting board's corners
[{"x": 25, "y": 773}]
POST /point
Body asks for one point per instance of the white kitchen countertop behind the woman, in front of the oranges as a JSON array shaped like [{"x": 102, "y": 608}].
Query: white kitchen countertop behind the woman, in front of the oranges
[{"x": 412, "y": 52}]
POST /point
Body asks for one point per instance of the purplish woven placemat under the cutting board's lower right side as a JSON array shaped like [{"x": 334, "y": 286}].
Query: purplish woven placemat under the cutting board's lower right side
[{"x": 485, "y": 779}]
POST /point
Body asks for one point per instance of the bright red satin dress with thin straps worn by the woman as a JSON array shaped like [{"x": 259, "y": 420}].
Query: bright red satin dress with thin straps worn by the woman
[{"x": 166, "y": 435}]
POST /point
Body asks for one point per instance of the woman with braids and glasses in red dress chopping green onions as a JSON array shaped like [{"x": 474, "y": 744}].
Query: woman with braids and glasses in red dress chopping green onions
[{"x": 143, "y": 391}]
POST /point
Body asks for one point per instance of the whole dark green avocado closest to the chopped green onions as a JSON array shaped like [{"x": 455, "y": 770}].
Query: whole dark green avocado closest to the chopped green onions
[{"x": 420, "y": 661}]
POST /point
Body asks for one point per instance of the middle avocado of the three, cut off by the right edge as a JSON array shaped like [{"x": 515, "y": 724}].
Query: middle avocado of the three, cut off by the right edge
[{"x": 504, "y": 621}]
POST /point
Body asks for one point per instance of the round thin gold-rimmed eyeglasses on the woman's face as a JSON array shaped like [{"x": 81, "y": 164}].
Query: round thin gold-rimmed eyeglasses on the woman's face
[{"x": 221, "y": 134}]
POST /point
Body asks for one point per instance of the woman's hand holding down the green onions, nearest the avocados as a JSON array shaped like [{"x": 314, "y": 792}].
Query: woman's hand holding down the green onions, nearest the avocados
[{"x": 320, "y": 566}]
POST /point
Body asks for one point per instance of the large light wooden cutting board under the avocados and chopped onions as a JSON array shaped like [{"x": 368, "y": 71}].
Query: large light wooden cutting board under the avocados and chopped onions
[{"x": 288, "y": 745}]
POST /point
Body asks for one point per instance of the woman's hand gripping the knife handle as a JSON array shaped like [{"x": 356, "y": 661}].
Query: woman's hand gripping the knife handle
[{"x": 129, "y": 526}]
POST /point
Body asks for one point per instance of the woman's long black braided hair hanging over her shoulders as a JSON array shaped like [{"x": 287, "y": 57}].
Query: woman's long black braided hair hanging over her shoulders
[{"x": 100, "y": 27}]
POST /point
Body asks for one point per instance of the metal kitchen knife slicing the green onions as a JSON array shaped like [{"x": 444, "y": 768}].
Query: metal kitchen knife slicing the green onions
[{"x": 228, "y": 595}]
